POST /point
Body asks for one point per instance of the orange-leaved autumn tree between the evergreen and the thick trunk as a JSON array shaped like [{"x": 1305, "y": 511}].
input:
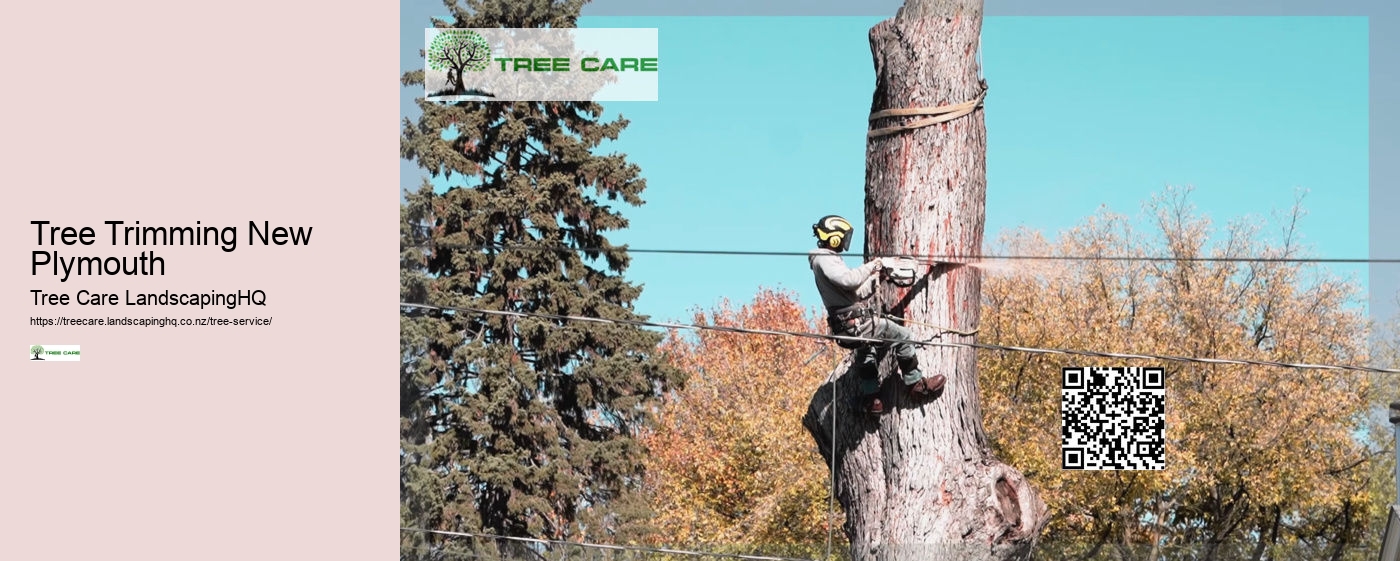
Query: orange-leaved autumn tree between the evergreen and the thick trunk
[{"x": 731, "y": 468}]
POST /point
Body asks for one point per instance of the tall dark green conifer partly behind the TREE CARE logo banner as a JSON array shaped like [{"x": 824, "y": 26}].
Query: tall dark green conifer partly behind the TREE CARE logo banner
[{"x": 519, "y": 426}]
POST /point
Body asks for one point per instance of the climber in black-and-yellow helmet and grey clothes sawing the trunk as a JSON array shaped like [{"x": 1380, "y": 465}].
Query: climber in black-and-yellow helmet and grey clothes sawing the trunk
[{"x": 852, "y": 313}]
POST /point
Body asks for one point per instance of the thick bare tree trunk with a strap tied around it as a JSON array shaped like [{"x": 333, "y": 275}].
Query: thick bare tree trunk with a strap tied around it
[{"x": 920, "y": 483}]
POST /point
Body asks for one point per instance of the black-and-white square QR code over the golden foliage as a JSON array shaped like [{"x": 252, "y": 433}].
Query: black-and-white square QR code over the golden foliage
[{"x": 1114, "y": 419}]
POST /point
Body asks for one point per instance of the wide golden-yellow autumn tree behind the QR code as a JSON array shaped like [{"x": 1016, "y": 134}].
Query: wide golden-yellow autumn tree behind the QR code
[{"x": 1262, "y": 462}]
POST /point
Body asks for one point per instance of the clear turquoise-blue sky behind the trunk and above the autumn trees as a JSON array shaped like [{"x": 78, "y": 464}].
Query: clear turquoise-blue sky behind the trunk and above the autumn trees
[{"x": 761, "y": 122}]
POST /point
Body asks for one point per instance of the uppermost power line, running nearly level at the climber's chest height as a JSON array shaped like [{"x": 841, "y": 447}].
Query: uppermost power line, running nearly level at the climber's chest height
[{"x": 950, "y": 260}]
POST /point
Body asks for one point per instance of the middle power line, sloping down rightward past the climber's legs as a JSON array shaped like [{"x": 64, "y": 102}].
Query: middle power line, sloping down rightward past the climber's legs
[{"x": 926, "y": 343}]
